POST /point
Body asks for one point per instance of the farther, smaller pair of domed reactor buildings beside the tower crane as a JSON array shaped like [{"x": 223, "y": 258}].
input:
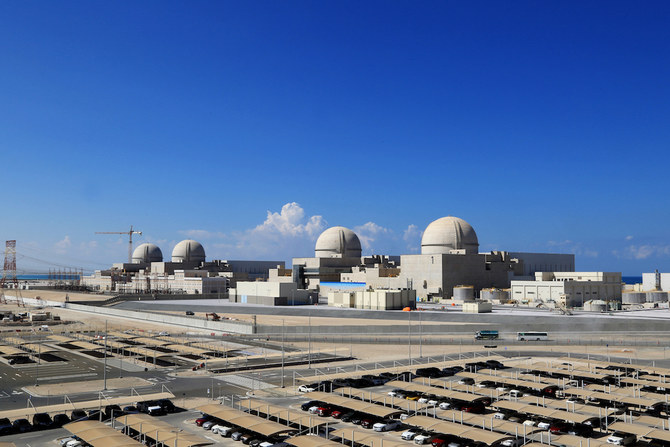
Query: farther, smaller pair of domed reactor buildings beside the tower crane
[{"x": 188, "y": 272}]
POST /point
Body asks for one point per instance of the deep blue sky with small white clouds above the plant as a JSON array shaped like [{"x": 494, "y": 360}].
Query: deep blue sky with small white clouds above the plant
[{"x": 253, "y": 125}]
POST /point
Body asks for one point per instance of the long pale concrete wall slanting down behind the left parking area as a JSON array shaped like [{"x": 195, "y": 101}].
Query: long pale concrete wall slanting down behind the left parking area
[{"x": 174, "y": 320}]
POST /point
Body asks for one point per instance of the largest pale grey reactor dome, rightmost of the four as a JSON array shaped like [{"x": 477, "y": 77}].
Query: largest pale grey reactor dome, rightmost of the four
[{"x": 449, "y": 233}]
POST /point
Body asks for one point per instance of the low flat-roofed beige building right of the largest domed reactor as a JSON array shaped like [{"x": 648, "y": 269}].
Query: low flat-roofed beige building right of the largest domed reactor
[{"x": 570, "y": 289}]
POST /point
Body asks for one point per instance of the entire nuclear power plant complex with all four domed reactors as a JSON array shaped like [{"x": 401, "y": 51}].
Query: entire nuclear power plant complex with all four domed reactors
[{"x": 449, "y": 267}]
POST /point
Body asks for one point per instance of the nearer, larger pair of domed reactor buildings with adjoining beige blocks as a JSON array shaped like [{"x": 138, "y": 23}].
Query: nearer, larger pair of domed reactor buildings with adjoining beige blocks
[{"x": 449, "y": 257}]
